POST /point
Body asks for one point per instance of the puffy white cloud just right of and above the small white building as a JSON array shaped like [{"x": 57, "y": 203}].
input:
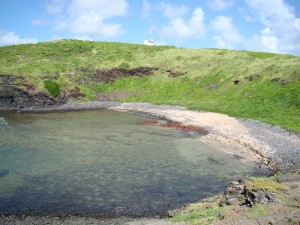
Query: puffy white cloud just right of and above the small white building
[{"x": 179, "y": 29}]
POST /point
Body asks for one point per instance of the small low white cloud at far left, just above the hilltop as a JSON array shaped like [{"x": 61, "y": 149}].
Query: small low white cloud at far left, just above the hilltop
[{"x": 10, "y": 38}]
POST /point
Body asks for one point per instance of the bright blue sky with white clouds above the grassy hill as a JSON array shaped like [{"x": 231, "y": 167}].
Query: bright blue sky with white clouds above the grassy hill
[{"x": 255, "y": 25}]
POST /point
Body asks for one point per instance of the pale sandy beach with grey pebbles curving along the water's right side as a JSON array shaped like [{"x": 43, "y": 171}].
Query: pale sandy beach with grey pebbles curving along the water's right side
[{"x": 252, "y": 140}]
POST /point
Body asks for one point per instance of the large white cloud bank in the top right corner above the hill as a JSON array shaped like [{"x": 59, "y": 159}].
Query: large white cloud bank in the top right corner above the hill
[{"x": 280, "y": 33}]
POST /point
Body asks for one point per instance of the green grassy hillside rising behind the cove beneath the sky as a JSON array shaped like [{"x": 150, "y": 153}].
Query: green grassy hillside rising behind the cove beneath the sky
[{"x": 207, "y": 85}]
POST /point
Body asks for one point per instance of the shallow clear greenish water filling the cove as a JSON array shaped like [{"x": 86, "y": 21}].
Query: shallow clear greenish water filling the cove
[{"x": 105, "y": 163}]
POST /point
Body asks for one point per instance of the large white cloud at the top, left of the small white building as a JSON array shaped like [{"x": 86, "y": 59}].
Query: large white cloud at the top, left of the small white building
[{"x": 88, "y": 19}]
